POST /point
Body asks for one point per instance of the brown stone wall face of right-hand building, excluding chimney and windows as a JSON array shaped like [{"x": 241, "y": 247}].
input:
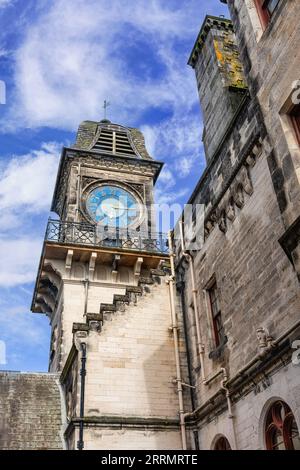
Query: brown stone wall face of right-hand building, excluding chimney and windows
[{"x": 250, "y": 194}]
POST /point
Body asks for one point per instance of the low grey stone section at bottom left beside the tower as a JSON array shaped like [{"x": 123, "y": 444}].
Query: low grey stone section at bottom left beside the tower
[{"x": 30, "y": 412}]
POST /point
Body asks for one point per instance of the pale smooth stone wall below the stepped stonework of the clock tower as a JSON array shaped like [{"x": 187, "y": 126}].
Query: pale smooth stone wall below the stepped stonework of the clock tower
[{"x": 130, "y": 374}]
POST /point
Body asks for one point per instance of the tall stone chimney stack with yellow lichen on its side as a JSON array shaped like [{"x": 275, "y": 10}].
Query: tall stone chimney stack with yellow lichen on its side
[{"x": 220, "y": 79}]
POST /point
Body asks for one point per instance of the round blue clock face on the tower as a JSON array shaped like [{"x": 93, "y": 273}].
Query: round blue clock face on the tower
[{"x": 113, "y": 206}]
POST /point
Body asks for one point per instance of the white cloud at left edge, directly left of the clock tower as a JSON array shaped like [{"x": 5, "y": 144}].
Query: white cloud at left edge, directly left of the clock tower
[{"x": 26, "y": 187}]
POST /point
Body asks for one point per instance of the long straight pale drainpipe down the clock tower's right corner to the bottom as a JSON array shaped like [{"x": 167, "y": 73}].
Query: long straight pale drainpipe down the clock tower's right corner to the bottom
[{"x": 171, "y": 283}]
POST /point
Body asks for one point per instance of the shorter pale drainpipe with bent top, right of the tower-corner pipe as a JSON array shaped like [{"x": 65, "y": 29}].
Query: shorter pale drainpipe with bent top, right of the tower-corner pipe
[{"x": 200, "y": 344}]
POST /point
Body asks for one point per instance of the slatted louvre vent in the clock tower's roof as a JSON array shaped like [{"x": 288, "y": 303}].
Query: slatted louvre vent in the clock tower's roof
[{"x": 115, "y": 142}]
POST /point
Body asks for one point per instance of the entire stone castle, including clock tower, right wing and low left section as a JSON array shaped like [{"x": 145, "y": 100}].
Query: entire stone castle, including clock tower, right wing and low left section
[{"x": 155, "y": 345}]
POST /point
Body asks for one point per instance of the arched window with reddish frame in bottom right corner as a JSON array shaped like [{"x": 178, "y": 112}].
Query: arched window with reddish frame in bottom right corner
[{"x": 281, "y": 428}]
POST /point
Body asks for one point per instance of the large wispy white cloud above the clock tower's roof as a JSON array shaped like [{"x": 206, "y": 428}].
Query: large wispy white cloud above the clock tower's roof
[{"x": 72, "y": 58}]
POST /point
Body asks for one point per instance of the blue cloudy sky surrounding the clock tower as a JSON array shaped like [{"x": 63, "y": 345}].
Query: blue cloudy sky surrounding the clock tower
[{"x": 59, "y": 60}]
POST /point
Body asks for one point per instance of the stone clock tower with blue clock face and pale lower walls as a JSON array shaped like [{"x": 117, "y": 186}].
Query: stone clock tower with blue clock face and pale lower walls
[{"x": 104, "y": 281}]
